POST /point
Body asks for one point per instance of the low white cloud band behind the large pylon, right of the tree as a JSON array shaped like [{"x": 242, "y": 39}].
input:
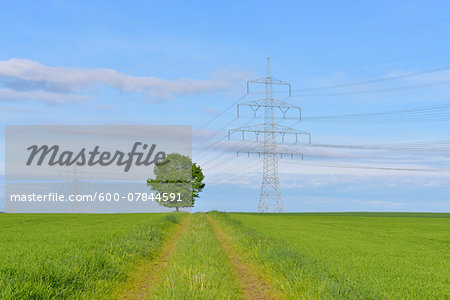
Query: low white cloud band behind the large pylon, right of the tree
[{"x": 241, "y": 170}]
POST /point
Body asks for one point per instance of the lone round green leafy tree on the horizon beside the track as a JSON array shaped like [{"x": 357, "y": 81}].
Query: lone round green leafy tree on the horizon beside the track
[{"x": 177, "y": 175}]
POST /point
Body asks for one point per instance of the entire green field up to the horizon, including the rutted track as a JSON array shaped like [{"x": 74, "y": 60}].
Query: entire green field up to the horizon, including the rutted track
[{"x": 225, "y": 256}]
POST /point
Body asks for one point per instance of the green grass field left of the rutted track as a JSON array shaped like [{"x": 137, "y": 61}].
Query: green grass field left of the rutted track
[{"x": 74, "y": 256}]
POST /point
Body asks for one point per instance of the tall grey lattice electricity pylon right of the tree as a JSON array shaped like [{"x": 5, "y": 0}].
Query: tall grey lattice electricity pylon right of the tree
[{"x": 270, "y": 198}]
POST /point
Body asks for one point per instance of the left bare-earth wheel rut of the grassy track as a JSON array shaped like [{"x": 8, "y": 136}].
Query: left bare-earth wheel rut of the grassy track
[{"x": 148, "y": 275}]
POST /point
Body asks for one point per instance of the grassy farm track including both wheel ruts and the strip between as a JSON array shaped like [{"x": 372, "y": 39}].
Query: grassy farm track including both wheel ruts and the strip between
[{"x": 199, "y": 261}]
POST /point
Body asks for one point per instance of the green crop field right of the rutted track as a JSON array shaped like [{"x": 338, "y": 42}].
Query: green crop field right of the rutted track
[{"x": 355, "y": 255}]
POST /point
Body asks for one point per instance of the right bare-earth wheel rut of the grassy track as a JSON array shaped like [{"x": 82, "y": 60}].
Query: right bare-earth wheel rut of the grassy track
[{"x": 249, "y": 278}]
